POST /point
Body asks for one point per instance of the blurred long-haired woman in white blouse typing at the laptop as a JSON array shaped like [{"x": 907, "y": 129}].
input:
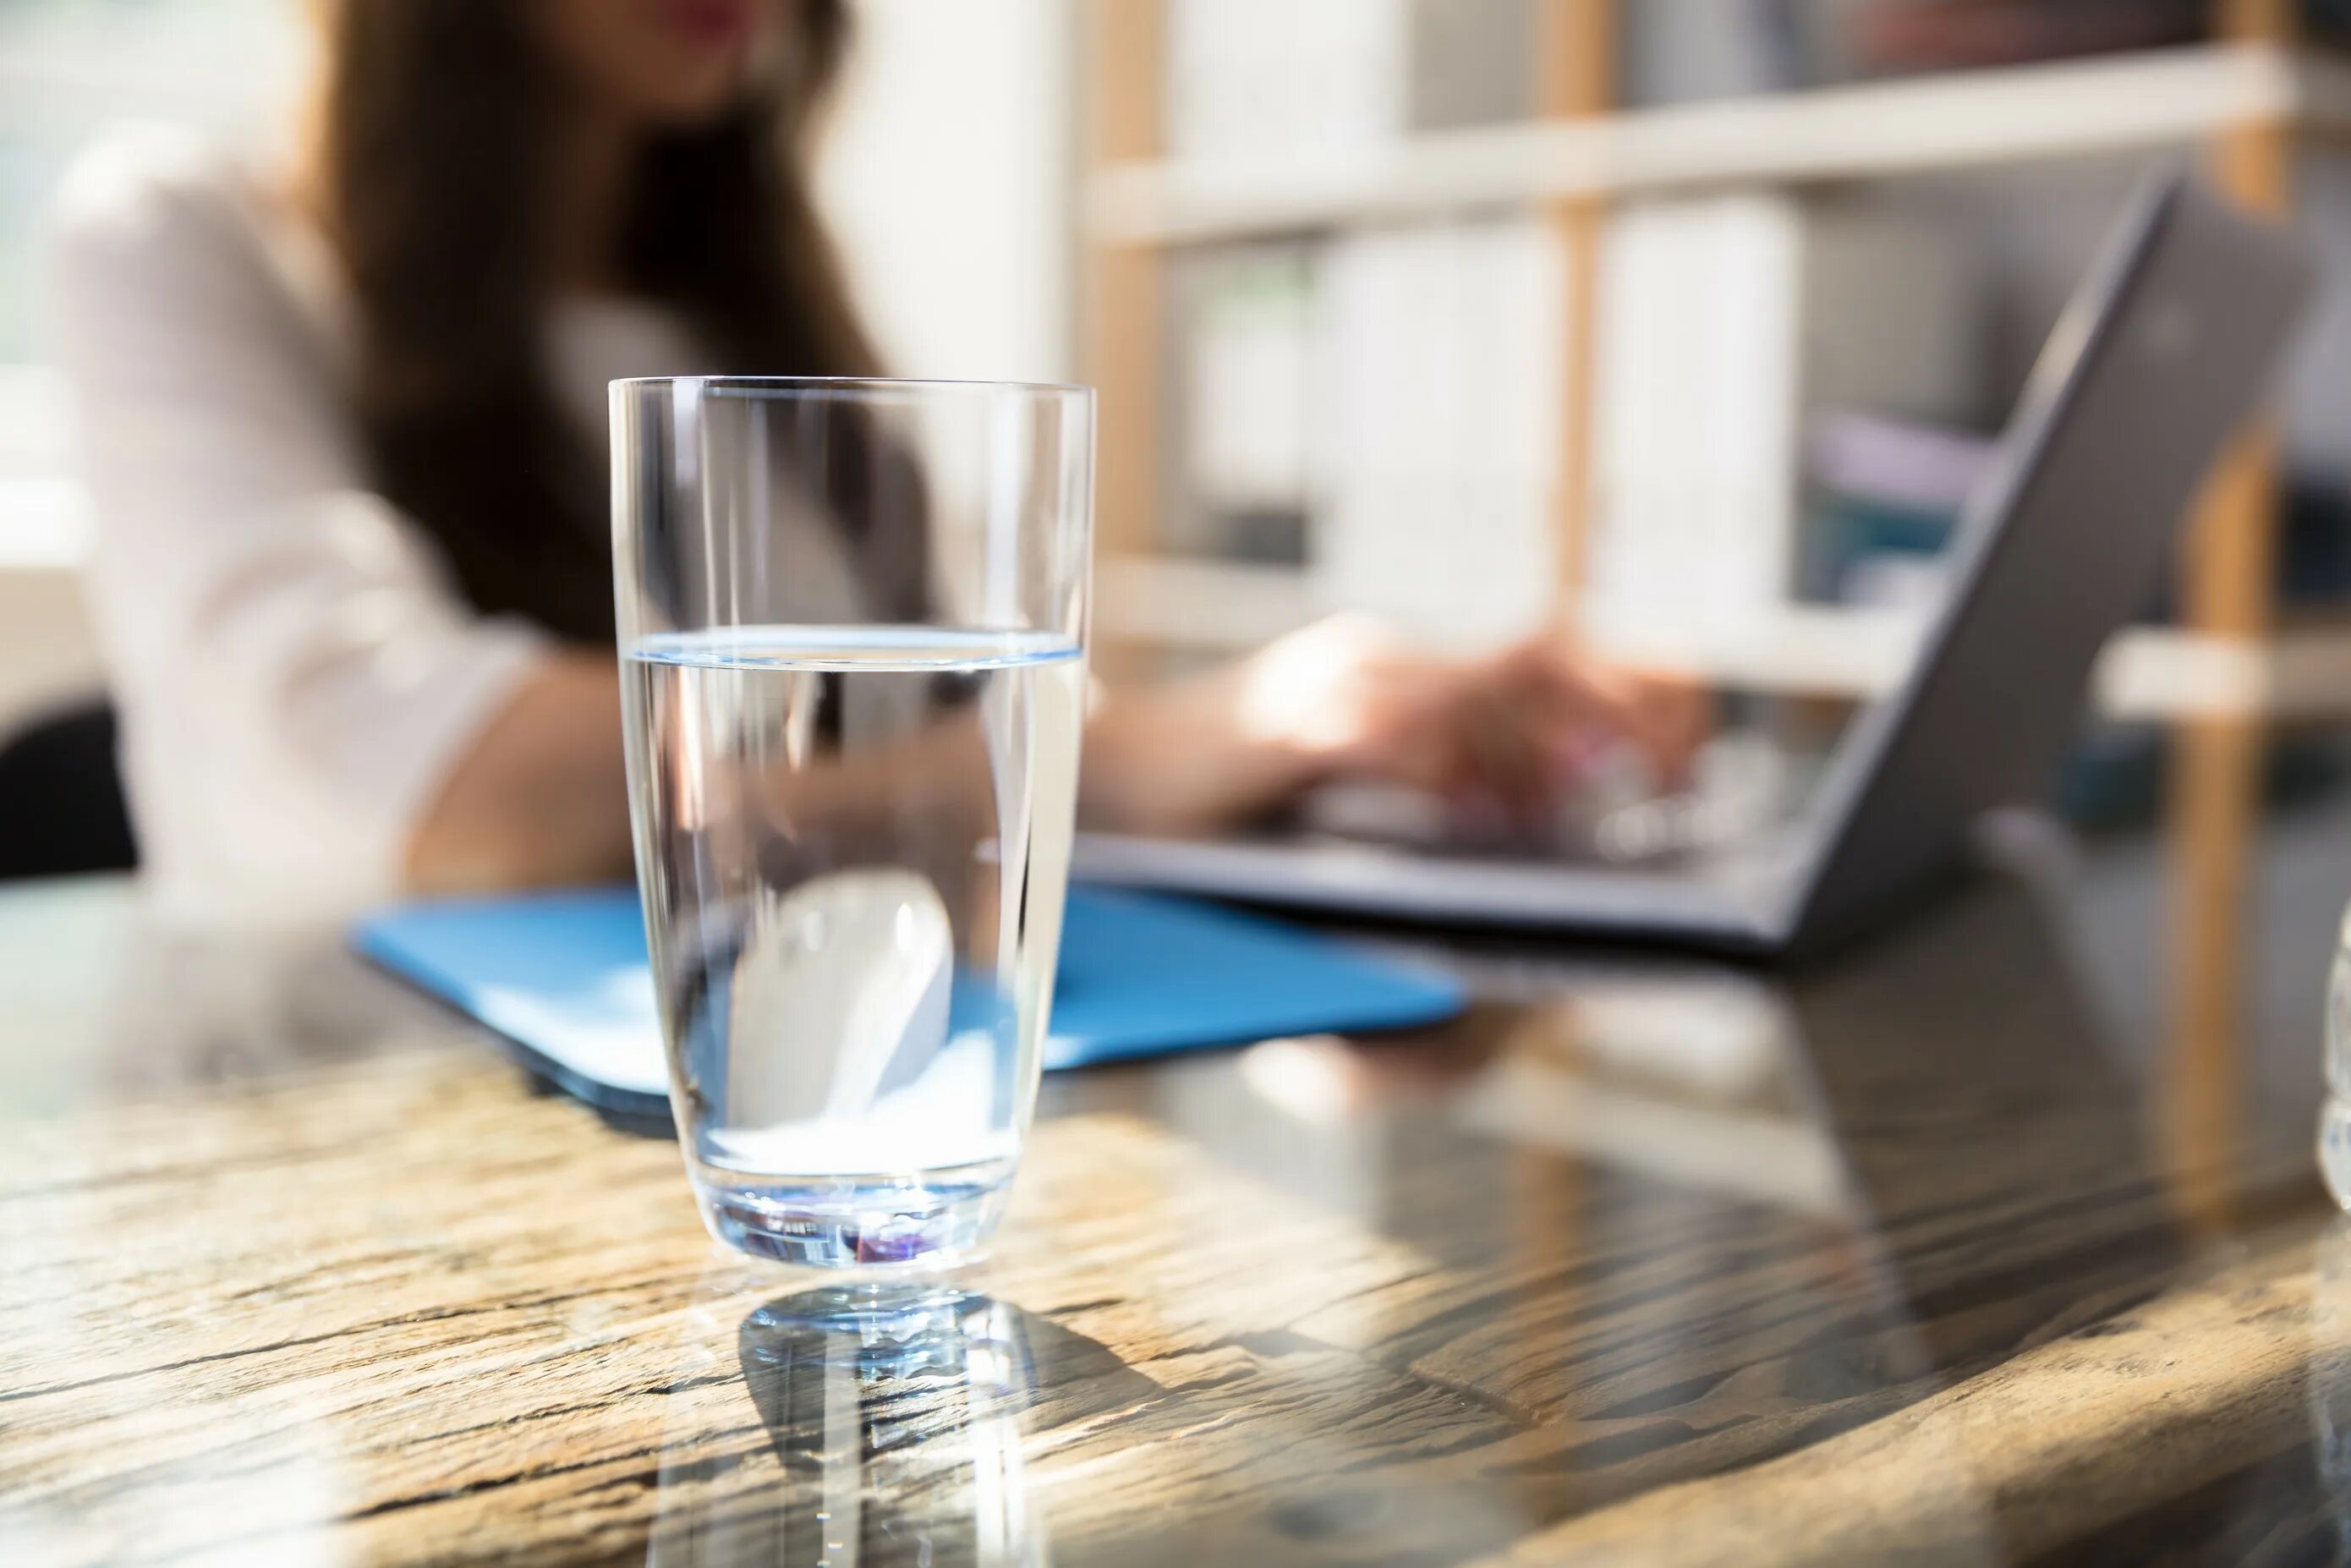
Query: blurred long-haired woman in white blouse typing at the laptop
[{"x": 344, "y": 434}]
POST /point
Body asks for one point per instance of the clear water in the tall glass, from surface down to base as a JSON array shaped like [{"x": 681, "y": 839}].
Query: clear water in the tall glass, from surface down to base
[{"x": 855, "y": 847}]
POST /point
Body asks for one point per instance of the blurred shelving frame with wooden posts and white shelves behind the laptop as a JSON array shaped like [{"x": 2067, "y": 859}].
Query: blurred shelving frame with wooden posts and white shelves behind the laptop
[{"x": 2249, "y": 102}]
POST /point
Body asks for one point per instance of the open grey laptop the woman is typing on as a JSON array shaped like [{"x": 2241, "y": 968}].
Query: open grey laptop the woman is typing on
[{"x": 2164, "y": 349}]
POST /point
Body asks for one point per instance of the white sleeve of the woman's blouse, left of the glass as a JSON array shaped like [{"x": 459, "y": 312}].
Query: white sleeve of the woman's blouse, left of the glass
[{"x": 295, "y": 671}]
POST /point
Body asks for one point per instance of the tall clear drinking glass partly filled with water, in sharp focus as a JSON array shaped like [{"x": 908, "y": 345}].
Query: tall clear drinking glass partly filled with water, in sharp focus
[{"x": 855, "y": 664}]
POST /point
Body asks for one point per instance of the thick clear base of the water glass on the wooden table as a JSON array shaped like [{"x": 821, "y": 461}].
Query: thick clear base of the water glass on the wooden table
[{"x": 855, "y": 1226}]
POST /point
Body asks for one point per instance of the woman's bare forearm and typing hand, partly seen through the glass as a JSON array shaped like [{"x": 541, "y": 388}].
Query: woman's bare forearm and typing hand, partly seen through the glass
[{"x": 542, "y": 796}]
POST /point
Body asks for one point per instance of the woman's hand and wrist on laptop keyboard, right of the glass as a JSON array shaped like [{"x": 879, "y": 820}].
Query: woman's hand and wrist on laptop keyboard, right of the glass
[{"x": 1503, "y": 735}]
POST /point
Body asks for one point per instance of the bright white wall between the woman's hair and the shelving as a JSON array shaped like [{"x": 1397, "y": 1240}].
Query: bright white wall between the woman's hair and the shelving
[{"x": 949, "y": 185}]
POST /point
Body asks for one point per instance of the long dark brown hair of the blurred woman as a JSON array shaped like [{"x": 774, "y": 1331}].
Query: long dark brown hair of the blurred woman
[{"x": 431, "y": 166}]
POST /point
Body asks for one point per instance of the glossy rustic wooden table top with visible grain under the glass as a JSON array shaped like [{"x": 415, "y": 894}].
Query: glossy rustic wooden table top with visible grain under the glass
[{"x": 1945, "y": 1252}]
